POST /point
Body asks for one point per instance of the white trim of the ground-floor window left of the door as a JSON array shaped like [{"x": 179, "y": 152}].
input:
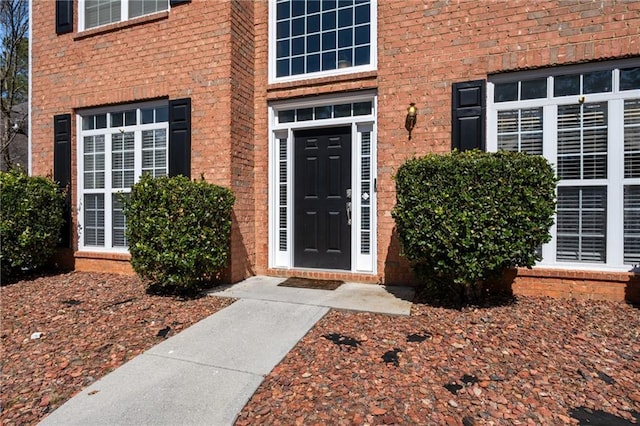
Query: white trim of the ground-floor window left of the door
[{"x": 108, "y": 190}]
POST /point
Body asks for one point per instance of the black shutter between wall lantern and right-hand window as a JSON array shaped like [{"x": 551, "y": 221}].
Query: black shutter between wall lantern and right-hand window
[{"x": 468, "y": 115}]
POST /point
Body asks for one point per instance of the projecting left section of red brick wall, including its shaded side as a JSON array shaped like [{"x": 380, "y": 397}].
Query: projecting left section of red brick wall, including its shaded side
[{"x": 186, "y": 52}]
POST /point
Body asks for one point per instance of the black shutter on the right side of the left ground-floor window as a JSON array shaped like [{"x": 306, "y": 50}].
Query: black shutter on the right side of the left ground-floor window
[{"x": 180, "y": 137}]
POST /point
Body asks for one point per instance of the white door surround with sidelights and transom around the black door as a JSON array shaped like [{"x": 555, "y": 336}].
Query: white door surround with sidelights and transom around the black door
[{"x": 360, "y": 263}]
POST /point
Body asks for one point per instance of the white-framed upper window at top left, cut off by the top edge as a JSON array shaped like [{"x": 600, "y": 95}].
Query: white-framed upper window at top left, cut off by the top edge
[{"x": 94, "y": 13}]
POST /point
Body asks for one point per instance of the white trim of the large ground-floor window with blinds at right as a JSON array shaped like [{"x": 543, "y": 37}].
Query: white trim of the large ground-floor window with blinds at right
[{"x": 615, "y": 180}]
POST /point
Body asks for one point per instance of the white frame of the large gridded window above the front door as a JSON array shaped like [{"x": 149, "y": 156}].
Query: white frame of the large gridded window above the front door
[{"x": 373, "y": 66}]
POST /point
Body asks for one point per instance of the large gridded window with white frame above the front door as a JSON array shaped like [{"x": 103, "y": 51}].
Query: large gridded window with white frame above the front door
[{"x": 313, "y": 38}]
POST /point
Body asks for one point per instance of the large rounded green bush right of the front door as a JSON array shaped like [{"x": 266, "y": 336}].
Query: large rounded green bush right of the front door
[{"x": 462, "y": 218}]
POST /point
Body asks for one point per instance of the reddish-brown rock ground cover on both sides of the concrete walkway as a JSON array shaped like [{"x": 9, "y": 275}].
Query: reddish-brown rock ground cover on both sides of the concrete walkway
[{"x": 537, "y": 361}]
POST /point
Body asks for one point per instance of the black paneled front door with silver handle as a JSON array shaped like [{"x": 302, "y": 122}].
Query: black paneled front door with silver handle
[{"x": 322, "y": 229}]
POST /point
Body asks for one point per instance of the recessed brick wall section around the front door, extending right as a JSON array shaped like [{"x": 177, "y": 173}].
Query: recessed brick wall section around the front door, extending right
[{"x": 423, "y": 48}]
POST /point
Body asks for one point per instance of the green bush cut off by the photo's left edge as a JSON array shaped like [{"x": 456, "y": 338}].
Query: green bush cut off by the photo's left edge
[{"x": 31, "y": 218}]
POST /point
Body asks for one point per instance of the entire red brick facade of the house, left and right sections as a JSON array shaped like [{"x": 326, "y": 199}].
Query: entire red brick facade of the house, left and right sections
[{"x": 216, "y": 52}]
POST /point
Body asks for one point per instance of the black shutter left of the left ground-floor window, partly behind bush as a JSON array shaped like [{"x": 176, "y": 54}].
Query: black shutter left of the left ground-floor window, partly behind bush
[{"x": 62, "y": 169}]
